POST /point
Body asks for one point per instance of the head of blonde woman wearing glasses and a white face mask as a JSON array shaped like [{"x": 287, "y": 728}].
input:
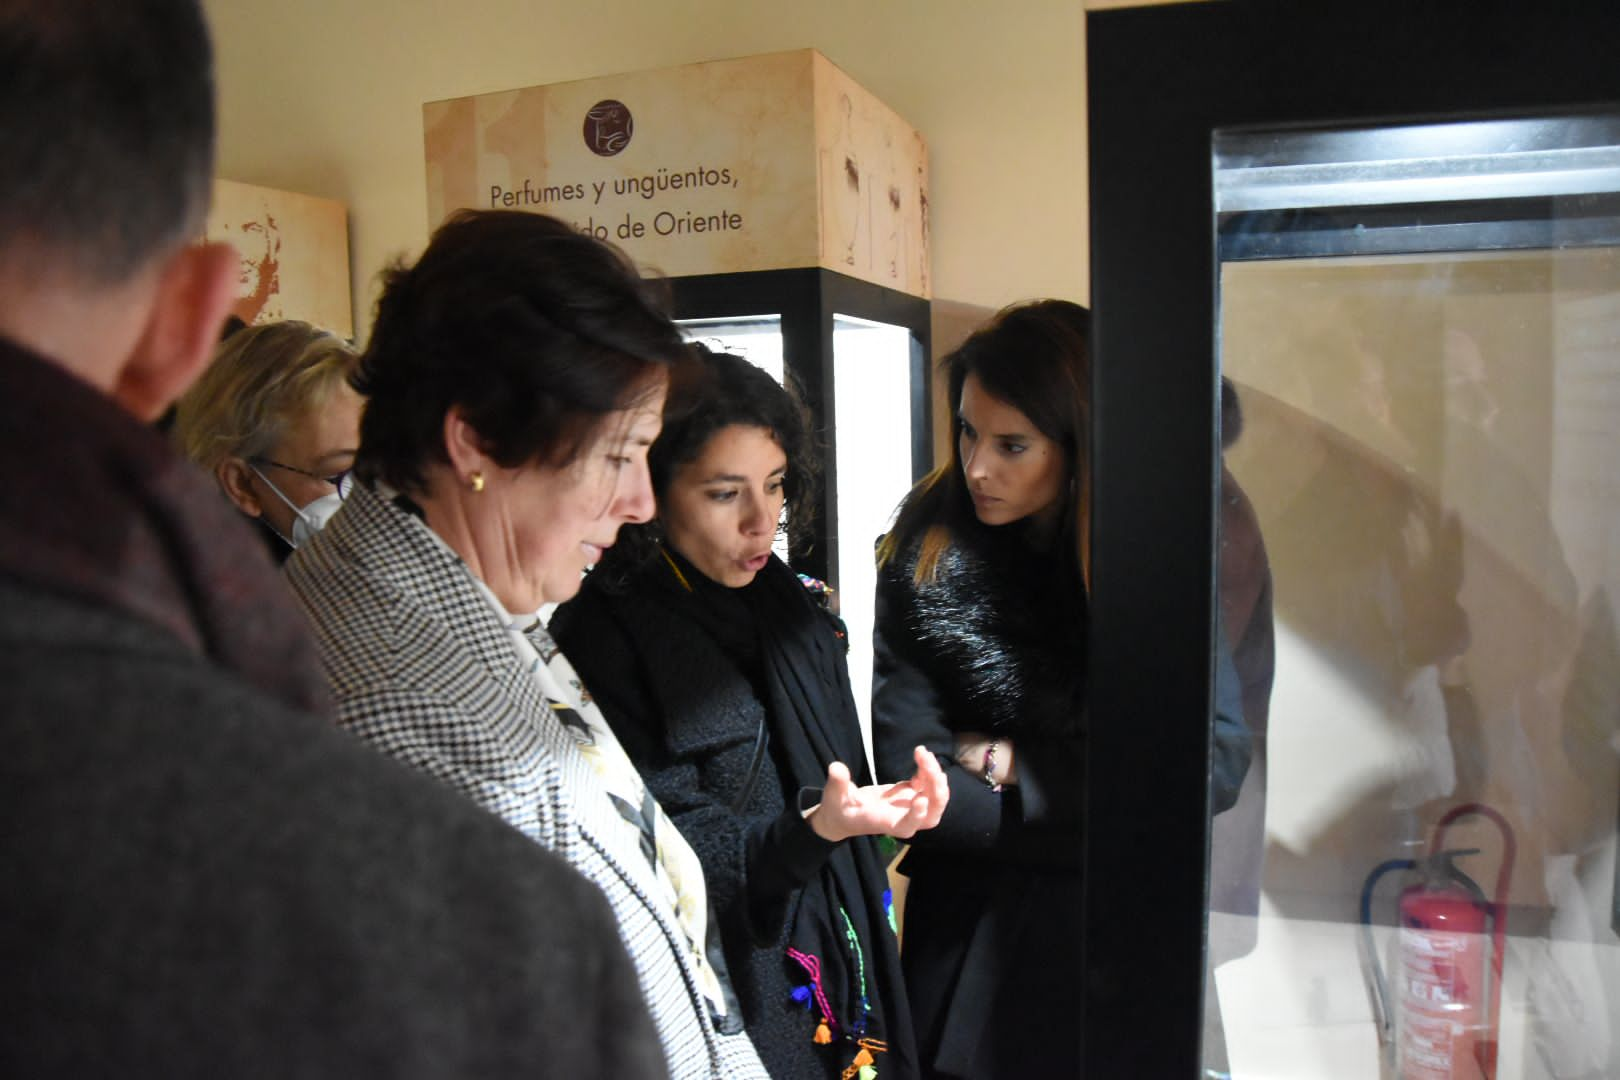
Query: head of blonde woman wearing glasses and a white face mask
[{"x": 276, "y": 422}]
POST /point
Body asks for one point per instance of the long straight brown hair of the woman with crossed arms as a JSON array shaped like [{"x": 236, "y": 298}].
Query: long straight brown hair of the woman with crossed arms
[{"x": 1036, "y": 357}]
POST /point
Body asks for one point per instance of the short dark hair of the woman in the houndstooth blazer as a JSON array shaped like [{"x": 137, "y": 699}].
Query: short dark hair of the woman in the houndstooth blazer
[{"x": 534, "y": 330}]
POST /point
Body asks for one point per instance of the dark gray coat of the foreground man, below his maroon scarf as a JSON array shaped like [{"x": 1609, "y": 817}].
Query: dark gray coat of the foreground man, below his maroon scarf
[{"x": 202, "y": 883}]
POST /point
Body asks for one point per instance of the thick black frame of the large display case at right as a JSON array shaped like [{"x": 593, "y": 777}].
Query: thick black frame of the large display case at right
[{"x": 1162, "y": 82}]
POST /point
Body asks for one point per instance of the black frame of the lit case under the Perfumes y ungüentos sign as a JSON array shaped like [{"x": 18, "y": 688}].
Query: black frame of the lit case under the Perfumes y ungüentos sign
[{"x": 808, "y": 300}]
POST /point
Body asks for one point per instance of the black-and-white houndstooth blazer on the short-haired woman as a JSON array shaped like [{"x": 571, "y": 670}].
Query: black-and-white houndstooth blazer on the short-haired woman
[{"x": 424, "y": 670}]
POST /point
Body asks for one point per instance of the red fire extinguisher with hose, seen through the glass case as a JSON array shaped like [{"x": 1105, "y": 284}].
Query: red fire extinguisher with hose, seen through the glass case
[{"x": 1451, "y": 940}]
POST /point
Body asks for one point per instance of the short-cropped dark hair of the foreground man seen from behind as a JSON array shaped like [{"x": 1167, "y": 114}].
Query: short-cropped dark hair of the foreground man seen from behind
[{"x": 108, "y": 113}]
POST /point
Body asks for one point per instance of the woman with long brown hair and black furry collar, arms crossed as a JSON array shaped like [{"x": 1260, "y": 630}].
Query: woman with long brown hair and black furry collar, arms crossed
[{"x": 979, "y": 657}]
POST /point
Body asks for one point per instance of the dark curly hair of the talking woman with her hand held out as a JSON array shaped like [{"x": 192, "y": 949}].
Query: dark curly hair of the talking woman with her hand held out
[{"x": 714, "y": 391}]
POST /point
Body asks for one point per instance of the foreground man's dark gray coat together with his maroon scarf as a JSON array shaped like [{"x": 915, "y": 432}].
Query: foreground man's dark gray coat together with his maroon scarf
[{"x": 203, "y": 878}]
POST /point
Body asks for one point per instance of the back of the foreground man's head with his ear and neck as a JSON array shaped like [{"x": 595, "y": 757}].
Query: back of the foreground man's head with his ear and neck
[{"x": 106, "y": 169}]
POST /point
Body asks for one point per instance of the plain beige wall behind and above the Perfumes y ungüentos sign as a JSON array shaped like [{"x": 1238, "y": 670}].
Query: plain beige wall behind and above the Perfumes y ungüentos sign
[{"x": 325, "y": 98}]
